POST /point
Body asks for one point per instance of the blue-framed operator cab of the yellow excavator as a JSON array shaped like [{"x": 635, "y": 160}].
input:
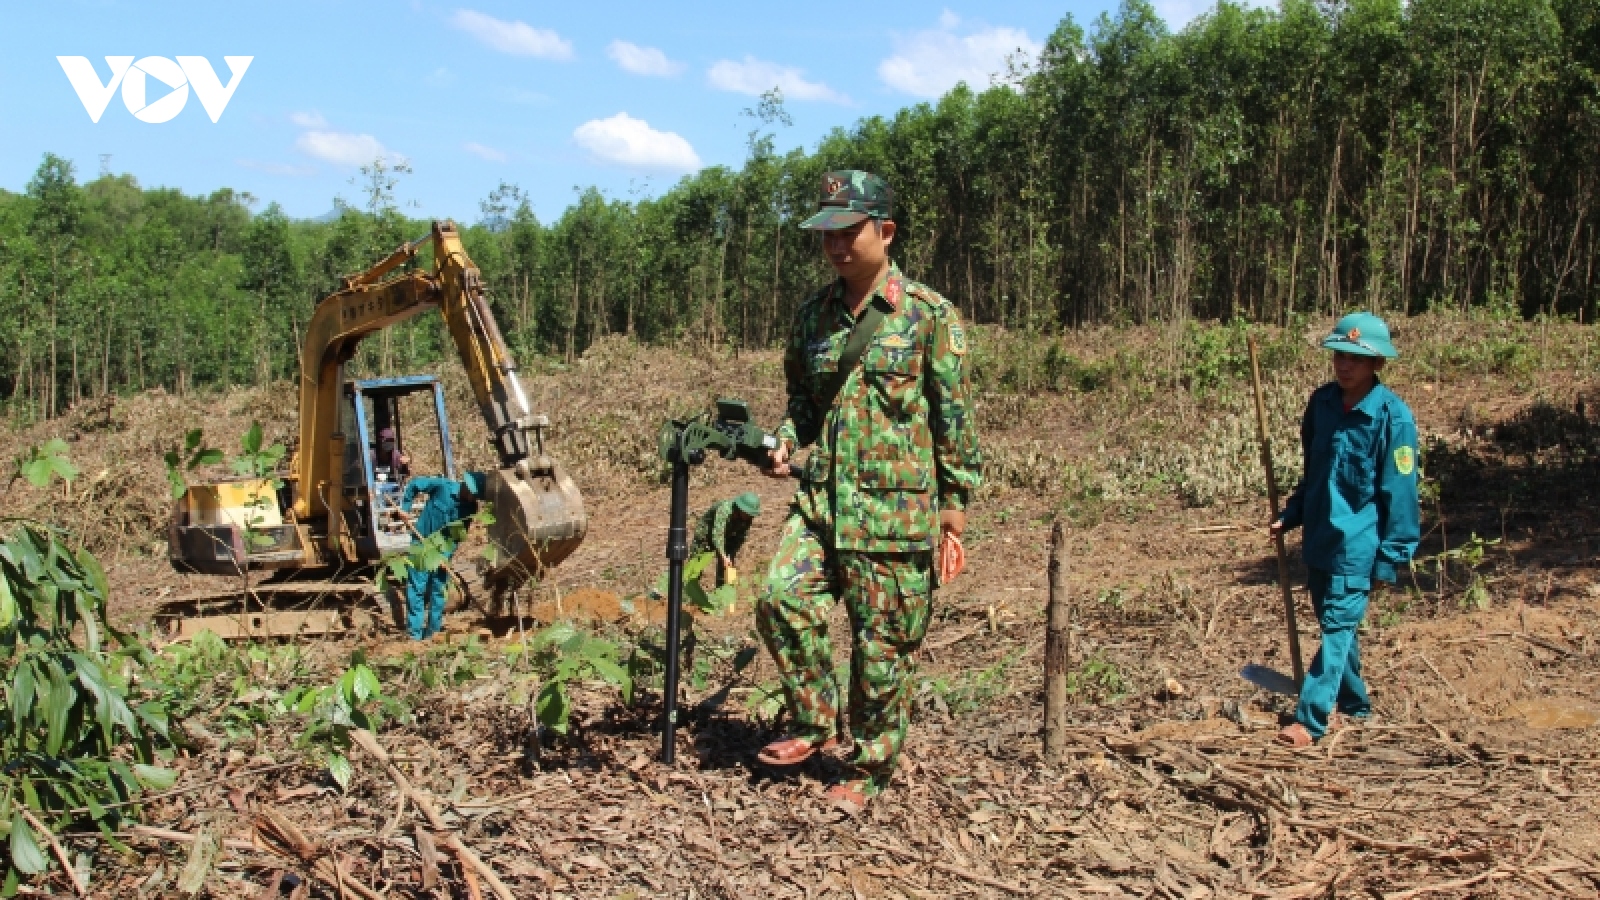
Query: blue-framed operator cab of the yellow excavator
[{"x": 382, "y": 451}]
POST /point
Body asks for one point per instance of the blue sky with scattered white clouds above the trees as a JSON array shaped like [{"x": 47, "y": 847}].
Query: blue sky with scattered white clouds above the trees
[{"x": 550, "y": 97}]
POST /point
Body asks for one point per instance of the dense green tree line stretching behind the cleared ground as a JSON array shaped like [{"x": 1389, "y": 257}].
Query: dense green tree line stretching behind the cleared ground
[{"x": 1257, "y": 164}]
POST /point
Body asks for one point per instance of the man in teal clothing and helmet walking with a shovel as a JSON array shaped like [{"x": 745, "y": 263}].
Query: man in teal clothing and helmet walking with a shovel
[{"x": 1359, "y": 508}]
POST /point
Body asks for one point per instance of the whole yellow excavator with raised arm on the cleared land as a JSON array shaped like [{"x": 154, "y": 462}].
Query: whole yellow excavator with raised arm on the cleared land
[{"x": 337, "y": 512}]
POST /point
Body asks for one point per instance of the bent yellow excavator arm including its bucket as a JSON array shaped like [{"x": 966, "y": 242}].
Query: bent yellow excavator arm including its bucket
[{"x": 538, "y": 513}]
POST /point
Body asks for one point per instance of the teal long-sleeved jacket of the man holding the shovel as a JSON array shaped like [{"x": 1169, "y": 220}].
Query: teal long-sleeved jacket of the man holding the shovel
[{"x": 1358, "y": 500}]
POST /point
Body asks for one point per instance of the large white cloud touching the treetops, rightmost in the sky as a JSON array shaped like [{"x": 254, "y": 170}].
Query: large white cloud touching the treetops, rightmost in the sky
[{"x": 934, "y": 62}]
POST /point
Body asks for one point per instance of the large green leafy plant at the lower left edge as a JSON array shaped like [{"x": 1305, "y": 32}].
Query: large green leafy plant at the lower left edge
[{"x": 74, "y": 745}]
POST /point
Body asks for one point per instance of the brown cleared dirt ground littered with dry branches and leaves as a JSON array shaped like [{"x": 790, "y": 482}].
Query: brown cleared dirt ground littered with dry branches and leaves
[{"x": 1478, "y": 774}]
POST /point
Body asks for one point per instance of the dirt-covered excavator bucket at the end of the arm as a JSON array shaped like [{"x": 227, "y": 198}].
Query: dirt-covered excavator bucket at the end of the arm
[{"x": 538, "y": 521}]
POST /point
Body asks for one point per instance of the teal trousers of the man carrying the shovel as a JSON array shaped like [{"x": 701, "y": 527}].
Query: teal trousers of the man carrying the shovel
[{"x": 1335, "y": 677}]
